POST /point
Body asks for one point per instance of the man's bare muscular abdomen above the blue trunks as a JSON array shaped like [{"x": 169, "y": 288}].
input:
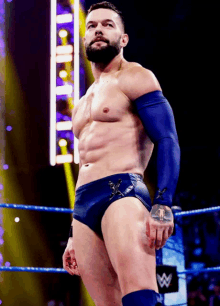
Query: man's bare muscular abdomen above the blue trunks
[{"x": 107, "y": 148}]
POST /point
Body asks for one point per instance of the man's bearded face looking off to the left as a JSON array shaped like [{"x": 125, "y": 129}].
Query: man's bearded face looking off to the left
[{"x": 103, "y": 35}]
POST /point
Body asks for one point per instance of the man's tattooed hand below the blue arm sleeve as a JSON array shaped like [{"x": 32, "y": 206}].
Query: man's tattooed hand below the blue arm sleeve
[{"x": 160, "y": 226}]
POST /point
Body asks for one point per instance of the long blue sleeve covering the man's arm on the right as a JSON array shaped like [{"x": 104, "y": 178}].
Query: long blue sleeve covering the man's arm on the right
[{"x": 157, "y": 118}]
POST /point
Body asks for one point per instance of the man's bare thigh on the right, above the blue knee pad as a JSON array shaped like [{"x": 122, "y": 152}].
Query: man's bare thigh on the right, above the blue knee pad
[{"x": 124, "y": 232}]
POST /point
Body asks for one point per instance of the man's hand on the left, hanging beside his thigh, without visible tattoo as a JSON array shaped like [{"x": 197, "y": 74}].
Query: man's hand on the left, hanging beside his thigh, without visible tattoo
[{"x": 69, "y": 260}]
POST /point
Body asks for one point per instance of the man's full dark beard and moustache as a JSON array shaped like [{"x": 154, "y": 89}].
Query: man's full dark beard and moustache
[{"x": 104, "y": 54}]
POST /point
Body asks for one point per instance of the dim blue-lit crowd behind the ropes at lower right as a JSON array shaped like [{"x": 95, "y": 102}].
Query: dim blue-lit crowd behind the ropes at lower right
[{"x": 201, "y": 235}]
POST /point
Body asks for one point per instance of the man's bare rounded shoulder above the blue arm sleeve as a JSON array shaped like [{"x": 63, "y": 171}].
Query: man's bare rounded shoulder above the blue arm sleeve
[{"x": 135, "y": 81}]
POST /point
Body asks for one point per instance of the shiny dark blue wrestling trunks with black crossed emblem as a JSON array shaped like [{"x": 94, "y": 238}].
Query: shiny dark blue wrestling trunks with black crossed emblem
[{"x": 94, "y": 198}]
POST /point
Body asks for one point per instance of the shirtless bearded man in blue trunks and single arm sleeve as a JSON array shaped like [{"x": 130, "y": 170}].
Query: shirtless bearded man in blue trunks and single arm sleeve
[{"x": 119, "y": 120}]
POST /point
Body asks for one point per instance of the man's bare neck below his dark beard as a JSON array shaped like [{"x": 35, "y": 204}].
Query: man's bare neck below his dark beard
[{"x": 99, "y": 69}]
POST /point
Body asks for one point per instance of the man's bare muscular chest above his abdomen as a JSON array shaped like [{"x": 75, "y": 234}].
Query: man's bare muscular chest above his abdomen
[{"x": 103, "y": 102}]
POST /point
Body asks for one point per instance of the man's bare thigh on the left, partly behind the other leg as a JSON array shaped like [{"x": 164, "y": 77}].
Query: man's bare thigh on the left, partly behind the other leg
[{"x": 95, "y": 268}]
